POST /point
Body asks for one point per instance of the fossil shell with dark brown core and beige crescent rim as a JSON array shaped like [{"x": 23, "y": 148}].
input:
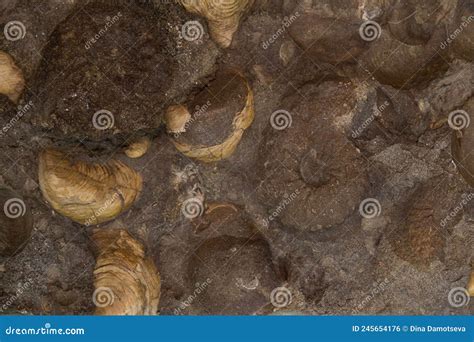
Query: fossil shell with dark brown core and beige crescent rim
[{"x": 221, "y": 114}]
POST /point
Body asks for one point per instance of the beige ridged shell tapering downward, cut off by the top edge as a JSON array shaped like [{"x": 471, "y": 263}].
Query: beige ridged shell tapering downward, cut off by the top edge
[{"x": 223, "y": 16}]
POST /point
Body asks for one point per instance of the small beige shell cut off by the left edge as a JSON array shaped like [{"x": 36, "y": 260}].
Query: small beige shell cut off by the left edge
[{"x": 12, "y": 82}]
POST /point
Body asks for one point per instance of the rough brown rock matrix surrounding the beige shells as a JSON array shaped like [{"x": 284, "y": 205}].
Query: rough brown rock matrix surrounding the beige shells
[{"x": 341, "y": 197}]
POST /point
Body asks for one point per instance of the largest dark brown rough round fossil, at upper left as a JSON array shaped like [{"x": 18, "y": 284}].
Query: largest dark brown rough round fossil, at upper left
[{"x": 79, "y": 100}]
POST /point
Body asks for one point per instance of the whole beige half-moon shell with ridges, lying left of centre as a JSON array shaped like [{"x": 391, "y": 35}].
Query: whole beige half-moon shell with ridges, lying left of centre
[{"x": 87, "y": 193}]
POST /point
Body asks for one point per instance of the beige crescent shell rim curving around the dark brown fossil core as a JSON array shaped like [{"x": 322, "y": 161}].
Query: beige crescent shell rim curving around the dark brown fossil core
[{"x": 242, "y": 121}]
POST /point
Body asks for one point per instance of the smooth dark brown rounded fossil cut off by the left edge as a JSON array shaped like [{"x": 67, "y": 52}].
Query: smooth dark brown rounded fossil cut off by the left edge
[{"x": 15, "y": 222}]
